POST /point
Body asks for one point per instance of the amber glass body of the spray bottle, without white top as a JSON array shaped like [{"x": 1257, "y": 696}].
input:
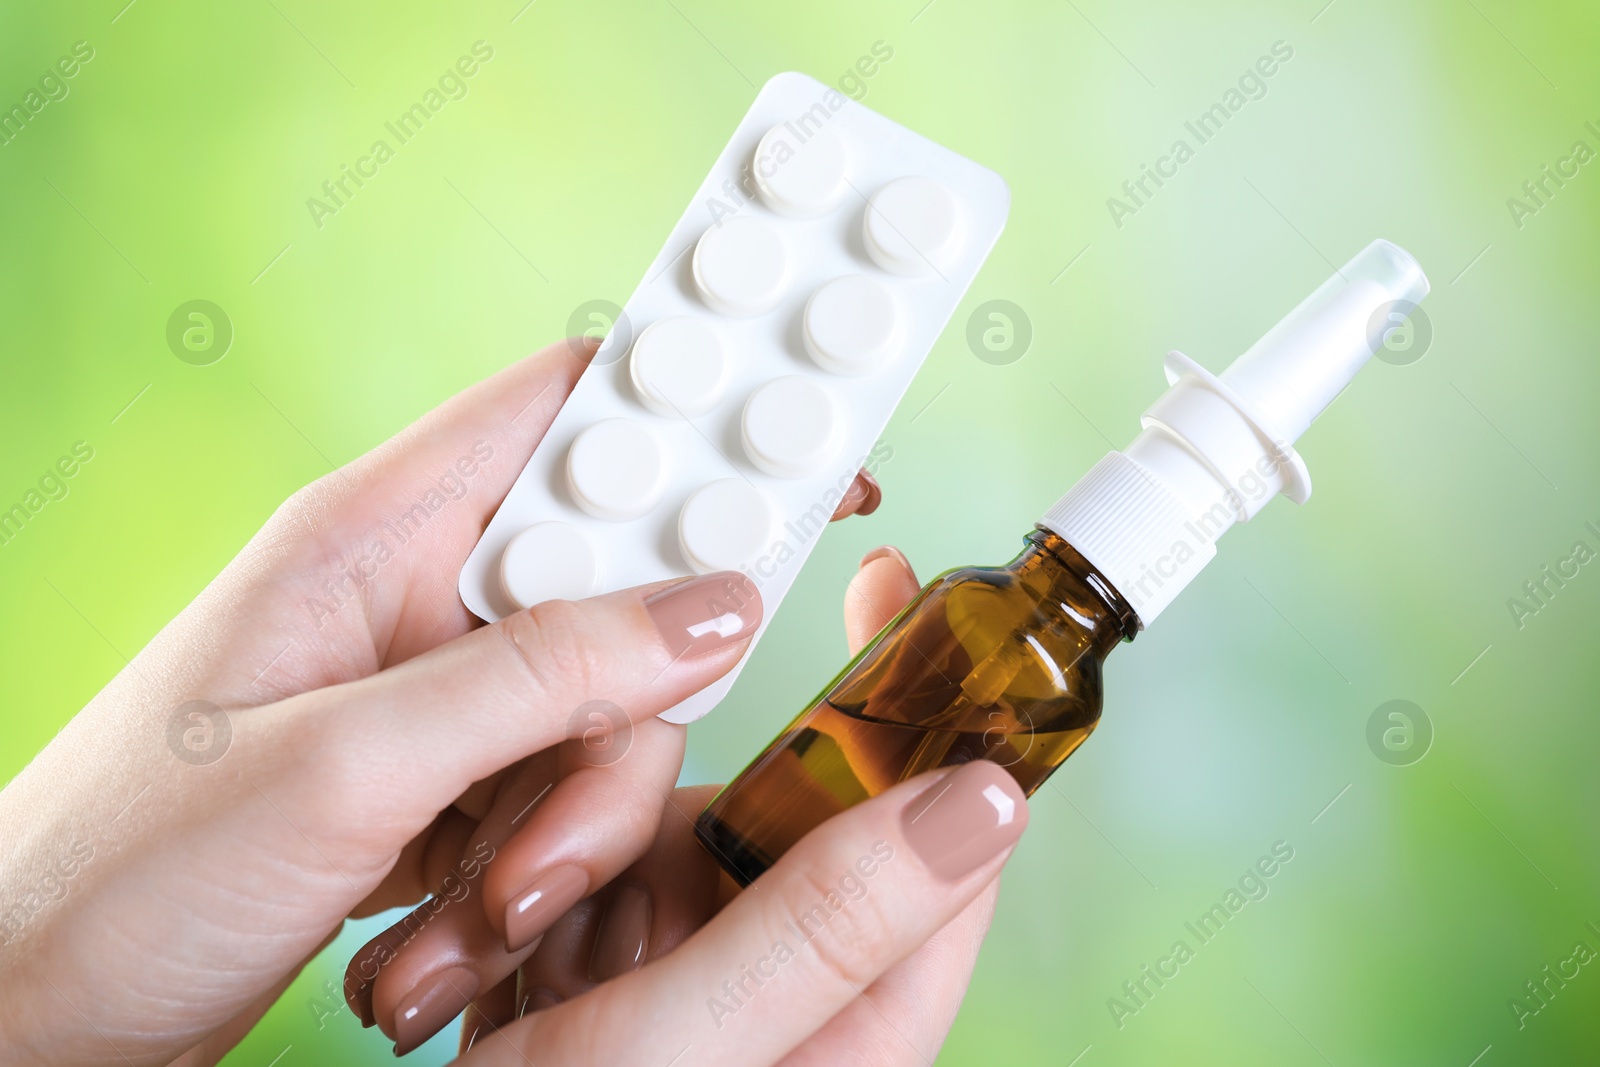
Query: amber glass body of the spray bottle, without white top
[{"x": 985, "y": 665}]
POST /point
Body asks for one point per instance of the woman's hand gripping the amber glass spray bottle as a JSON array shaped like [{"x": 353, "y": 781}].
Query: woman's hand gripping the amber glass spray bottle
[{"x": 855, "y": 948}]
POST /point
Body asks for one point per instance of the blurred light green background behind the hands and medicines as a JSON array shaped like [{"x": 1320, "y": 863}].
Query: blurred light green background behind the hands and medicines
[{"x": 1431, "y": 890}]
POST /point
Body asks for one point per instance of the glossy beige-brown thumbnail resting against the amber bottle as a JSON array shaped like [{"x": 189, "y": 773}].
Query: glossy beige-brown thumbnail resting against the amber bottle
[{"x": 966, "y": 820}]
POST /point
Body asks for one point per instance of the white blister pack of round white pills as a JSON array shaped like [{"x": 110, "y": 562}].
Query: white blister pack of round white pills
[{"x": 753, "y": 370}]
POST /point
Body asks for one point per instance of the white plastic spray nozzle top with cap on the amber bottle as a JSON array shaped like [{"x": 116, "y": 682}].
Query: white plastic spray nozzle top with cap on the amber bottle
[{"x": 1217, "y": 449}]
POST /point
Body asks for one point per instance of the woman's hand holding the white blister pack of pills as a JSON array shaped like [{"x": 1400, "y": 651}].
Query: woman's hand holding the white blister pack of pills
[{"x": 326, "y": 732}]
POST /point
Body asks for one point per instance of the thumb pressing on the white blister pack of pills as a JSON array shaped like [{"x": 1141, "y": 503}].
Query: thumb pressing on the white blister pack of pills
[{"x": 473, "y": 706}]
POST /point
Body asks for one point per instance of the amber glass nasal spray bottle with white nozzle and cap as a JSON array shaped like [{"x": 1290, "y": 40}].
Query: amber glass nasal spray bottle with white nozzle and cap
[{"x": 1004, "y": 663}]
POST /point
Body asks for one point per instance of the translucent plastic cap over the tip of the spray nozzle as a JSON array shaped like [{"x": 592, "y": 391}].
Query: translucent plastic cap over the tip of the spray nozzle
[{"x": 1295, "y": 372}]
